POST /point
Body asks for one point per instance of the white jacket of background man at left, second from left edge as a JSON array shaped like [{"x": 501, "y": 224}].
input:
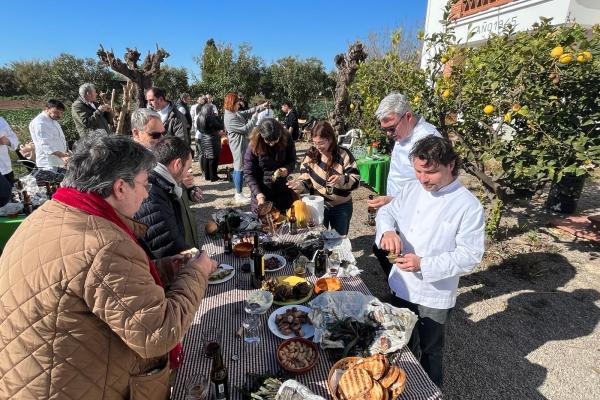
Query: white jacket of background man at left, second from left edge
[{"x": 48, "y": 137}]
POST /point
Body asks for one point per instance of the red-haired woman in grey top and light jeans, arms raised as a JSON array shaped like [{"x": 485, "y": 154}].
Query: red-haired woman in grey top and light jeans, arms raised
[{"x": 238, "y": 125}]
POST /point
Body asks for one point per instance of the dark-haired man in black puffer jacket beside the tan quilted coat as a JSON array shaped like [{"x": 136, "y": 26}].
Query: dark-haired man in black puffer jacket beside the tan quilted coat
[{"x": 161, "y": 211}]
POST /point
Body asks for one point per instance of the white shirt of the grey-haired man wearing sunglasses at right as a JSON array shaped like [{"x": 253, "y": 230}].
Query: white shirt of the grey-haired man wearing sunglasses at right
[{"x": 401, "y": 169}]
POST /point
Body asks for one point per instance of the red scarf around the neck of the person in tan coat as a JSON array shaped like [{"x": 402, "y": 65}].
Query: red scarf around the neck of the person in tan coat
[{"x": 93, "y": 204}]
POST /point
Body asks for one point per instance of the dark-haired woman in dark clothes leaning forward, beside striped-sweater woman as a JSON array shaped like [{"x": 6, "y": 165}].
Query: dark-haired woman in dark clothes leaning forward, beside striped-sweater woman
[{"x": 269, "y": 159}]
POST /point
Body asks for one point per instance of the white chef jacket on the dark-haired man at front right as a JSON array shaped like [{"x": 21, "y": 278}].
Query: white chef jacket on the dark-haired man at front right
[{"x": 445, "y": 229}]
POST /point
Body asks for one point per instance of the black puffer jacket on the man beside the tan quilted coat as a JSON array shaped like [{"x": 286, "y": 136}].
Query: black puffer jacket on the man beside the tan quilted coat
[{"x": 162, "y": 213}]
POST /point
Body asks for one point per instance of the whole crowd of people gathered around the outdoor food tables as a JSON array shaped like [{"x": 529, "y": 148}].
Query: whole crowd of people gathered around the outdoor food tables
[{"x": 96, "y": 285}]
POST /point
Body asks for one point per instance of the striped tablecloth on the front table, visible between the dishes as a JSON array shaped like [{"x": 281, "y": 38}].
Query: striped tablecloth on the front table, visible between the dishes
[{"x": 223, "y": 308}]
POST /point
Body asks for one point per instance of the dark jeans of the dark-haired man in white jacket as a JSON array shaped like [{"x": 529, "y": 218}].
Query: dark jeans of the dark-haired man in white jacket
[{"x": 427, "y": 339}]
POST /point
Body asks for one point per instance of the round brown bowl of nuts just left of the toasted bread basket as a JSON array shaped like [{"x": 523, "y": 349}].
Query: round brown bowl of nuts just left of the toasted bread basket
[{"x": 297, "y": 355}]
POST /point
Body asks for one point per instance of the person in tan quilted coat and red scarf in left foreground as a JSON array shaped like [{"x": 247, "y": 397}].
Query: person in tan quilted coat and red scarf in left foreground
[{"x": 85, "y": 313}]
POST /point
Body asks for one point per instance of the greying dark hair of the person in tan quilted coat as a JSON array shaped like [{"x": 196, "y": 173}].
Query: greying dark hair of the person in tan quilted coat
[{"x": 99, "y": 160}]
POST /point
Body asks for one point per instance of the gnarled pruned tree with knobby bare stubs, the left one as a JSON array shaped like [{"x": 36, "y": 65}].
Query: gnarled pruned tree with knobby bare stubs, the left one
[{"x": 140, "y": 75}]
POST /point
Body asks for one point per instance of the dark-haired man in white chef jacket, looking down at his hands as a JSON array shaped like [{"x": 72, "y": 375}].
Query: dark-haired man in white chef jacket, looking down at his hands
[{"x": 435, "y": 226}]
